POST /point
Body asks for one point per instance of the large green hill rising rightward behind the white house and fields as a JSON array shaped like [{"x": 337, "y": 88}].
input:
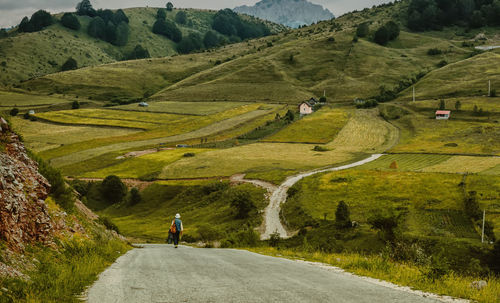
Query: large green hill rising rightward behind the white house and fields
[{"x": 290, "y": 66}]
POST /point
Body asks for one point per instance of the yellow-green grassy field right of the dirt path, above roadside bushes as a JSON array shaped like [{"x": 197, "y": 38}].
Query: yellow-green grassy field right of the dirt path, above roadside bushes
[{"x": 430, "y": 213}]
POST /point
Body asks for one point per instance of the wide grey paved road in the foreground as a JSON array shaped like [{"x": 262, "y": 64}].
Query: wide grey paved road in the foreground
[{"x": 160, "y": 273}]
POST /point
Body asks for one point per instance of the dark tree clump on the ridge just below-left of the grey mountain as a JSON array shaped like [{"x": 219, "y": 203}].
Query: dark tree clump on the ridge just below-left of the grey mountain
[{"x": 229, "y": 23}]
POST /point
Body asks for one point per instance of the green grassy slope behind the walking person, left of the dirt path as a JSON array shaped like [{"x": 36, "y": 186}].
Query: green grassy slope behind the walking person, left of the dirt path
[{"x": 150, "y": 219}]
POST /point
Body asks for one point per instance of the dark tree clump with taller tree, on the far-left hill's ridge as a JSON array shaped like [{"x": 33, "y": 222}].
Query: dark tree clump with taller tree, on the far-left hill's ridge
[{"x": 106, "y": 25}]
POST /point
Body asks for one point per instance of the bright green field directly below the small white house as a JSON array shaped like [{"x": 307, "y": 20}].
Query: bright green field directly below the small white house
[{"x": 319, "y": 127}]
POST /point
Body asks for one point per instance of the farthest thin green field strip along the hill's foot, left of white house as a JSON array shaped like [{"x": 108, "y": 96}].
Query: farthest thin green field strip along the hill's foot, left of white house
[{"x": 183, "y": 108}]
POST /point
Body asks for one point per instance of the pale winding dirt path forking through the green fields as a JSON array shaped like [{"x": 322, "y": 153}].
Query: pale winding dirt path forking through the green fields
[{"x": 278, "y": 195}]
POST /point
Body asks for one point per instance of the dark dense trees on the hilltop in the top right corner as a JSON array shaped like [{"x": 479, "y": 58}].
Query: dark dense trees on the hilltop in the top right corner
[{"x": 434, "y": 14}]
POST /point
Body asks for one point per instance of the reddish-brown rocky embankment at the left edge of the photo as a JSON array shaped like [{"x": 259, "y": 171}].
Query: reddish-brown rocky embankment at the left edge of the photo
[{"x": 24, "y": 217}]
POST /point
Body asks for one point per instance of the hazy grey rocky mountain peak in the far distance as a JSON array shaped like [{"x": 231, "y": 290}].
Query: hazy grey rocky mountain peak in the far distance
[{"x": 292, "y": 13}]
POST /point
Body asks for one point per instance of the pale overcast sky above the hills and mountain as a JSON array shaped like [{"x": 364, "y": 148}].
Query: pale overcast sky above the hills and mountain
[{"x": 12, "y": 11}]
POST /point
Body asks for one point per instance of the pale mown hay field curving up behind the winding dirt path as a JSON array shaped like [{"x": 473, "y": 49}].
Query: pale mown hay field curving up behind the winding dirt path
[{"x": 374, "y": 135}]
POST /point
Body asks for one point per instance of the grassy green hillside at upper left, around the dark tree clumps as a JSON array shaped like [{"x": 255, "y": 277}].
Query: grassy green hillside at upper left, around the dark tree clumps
[{"x": 31, "y": 55}]
